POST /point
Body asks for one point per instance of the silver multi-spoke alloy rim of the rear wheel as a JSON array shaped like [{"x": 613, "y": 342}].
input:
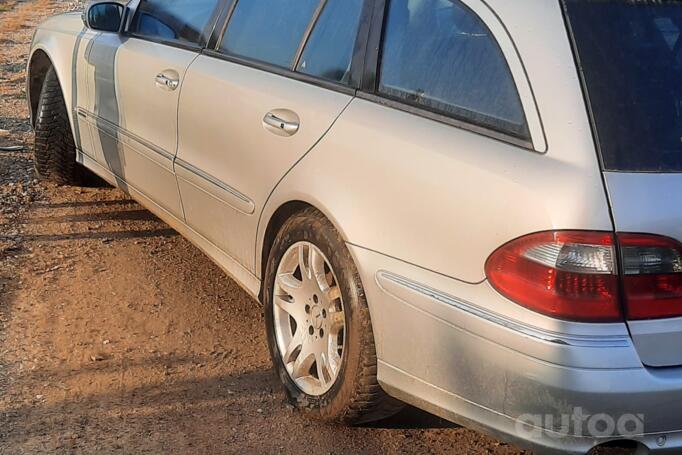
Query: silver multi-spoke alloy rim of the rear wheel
[{"x": 309, "y": 318}]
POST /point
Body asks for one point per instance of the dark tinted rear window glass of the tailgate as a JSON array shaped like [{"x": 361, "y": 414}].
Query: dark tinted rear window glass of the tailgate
[{"x": 630, "y": 56}]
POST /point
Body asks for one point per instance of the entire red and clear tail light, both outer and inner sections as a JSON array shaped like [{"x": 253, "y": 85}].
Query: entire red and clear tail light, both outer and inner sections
[{"x": 574, "y": 275}]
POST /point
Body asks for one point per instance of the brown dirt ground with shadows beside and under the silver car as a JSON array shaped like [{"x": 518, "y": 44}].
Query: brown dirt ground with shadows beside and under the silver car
[{"x": 118, "y": 336}]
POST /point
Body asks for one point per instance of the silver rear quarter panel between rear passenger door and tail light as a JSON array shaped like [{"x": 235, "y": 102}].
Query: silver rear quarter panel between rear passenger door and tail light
[{"x": 437, "y": 196}]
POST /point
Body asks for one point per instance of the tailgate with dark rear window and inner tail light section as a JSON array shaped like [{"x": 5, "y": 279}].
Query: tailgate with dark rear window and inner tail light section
[{"x": 630, "y": 56}]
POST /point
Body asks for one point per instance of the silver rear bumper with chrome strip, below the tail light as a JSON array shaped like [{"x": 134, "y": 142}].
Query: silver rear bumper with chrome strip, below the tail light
[{"x": 548, "y": 391}]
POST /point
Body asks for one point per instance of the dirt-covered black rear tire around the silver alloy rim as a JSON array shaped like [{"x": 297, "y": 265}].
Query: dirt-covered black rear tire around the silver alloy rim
[{"x": 356, "y": 397}]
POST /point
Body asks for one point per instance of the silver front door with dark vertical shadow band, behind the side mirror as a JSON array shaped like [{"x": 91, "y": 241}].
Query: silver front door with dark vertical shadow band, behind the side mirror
[{"x": 137, "y": 78}]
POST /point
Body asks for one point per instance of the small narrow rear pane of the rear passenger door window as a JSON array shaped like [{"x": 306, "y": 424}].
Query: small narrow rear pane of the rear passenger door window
[{"x": 329, "y": 50}]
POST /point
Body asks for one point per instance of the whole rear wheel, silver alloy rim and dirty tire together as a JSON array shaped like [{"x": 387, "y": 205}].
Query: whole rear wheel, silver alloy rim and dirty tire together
[{"x": 318, "y": 325}]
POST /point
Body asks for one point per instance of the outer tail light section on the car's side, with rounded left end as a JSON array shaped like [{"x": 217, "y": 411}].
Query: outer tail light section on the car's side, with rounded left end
[{"x": 567, "y": 274}]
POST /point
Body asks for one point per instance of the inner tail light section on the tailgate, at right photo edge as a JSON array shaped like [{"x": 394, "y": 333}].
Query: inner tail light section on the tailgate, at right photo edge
[{"x": 652, "y": 276}]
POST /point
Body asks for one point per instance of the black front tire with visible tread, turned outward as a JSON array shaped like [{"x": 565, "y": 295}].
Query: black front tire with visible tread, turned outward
[{"x": 55, "y": 148}]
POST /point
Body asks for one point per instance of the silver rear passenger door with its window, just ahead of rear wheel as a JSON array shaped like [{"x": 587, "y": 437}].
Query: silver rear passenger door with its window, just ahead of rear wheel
[{"x": 280, "y": 75}]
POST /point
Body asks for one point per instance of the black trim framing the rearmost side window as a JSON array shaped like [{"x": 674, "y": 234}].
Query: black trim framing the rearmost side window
[{"x": 369, "y": 90}]
